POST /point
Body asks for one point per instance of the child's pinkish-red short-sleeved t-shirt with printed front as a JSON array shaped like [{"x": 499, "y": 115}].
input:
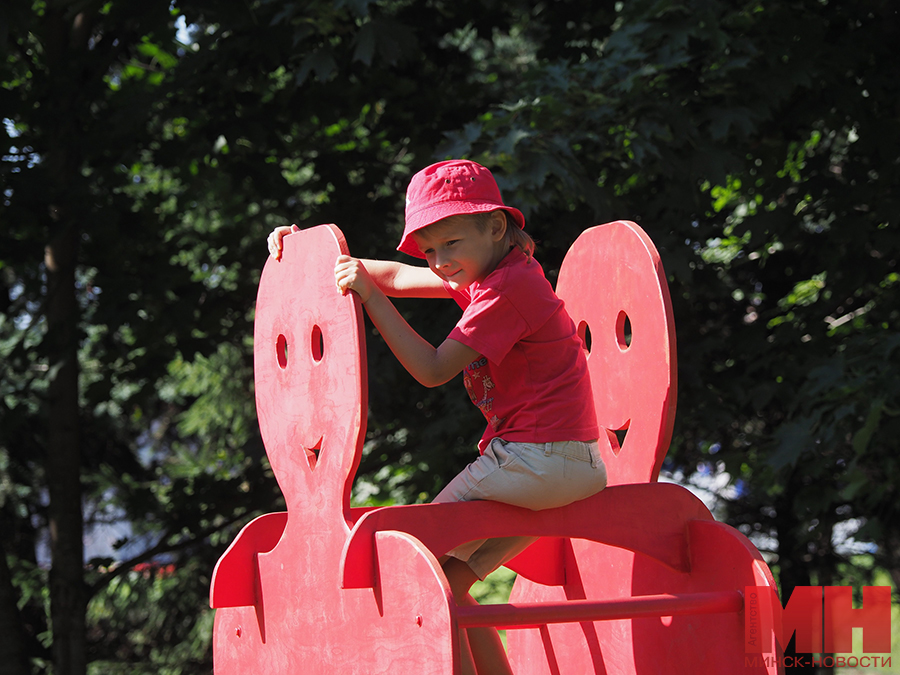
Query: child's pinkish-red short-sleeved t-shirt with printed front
[{"x": 531, "y": 382}]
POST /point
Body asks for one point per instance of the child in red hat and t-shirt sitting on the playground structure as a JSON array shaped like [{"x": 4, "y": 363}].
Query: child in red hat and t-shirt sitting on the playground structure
[{"x": 522, "y": 362}]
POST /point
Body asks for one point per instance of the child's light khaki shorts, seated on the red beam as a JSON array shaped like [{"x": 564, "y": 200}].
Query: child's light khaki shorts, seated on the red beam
[{"x": 532, "y": 475}]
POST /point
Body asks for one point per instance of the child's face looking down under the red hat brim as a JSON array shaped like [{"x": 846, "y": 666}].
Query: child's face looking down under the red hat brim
[{"x": 460, "y": 252}]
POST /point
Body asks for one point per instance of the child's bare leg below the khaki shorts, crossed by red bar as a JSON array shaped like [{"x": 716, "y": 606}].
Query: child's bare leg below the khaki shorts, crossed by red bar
[{"x": 485, "y": 649}]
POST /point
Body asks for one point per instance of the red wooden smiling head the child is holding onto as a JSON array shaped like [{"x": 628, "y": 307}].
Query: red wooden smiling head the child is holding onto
[{"x": 310, "y": 370}]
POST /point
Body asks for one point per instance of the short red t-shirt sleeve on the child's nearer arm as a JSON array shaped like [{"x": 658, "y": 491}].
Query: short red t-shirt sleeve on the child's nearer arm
[{"x": 490, "y": 325}]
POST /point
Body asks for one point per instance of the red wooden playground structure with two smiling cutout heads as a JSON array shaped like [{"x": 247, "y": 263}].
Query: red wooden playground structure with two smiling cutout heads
[{"x": 638, "y": 579}]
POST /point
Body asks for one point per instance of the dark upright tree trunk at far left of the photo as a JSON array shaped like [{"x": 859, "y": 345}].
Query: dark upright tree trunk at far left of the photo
[{"x": 66, "y": 40}]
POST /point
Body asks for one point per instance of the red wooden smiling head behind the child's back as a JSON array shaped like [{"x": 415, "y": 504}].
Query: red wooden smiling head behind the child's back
[{"x": 616, "y": 292}]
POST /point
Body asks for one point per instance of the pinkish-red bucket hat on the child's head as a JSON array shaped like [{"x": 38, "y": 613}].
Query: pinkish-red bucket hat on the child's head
[{"x": 450, "y": 188}]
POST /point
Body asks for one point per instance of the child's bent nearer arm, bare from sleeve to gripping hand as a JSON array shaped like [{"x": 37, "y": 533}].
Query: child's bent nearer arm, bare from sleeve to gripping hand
[{"x": 429, "y": 365}]
